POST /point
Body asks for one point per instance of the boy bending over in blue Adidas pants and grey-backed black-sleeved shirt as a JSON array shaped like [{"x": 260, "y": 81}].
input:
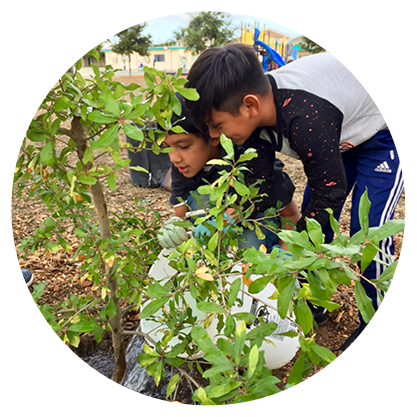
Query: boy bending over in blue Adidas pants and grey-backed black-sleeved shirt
[{"x": 322, "y": 115}]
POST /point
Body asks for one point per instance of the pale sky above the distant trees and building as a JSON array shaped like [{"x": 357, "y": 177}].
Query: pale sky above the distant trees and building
[{"x": 162, "y": 28}]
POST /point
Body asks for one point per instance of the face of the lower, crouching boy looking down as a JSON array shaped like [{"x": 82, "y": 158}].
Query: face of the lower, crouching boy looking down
[{"x": 190, "y": 153}]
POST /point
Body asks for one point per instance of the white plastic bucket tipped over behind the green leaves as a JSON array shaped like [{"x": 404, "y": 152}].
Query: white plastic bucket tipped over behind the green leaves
[{"x": 277, "y": 353}]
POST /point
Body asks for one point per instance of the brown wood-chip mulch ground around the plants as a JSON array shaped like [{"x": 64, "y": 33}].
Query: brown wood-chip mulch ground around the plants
[{"x": 63, "y": 277}]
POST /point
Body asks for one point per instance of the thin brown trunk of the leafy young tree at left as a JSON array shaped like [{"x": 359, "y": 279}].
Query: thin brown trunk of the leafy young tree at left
[{"x": 116, "y": 323}]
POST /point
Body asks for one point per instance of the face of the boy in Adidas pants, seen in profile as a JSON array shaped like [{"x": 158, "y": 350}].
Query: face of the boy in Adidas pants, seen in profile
[{"x": 237, "y": 128}]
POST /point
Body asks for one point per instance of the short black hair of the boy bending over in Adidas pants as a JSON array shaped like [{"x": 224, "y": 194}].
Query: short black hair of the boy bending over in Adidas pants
[{"x": 223, "y": 76}]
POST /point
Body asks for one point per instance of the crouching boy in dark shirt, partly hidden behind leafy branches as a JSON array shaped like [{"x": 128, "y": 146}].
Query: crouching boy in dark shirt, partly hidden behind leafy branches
[{"x": 189, "y": 156}]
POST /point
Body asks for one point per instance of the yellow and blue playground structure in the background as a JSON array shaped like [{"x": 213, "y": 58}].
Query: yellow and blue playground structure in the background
[{"x": 271, "y": 47}]
